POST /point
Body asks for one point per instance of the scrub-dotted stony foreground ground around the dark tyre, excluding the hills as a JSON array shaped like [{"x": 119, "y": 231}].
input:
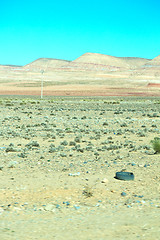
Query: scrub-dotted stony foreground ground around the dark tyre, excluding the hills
[{"x": 58, "y": 161}]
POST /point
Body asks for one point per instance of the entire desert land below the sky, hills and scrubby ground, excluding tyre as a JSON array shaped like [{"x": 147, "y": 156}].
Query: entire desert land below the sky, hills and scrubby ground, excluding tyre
[{"x": 59, "y": 154}]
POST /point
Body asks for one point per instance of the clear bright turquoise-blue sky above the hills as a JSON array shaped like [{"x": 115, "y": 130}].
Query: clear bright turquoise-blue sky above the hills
[{"x": 31, "y": 29}]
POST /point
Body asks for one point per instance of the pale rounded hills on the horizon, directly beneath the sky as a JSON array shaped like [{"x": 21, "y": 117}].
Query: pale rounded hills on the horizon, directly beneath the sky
[{"x": 91, "y": 59}]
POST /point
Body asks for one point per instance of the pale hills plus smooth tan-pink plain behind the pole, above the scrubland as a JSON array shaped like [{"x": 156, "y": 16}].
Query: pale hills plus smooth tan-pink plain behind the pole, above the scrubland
[{"x": 90, "y": 74}]
